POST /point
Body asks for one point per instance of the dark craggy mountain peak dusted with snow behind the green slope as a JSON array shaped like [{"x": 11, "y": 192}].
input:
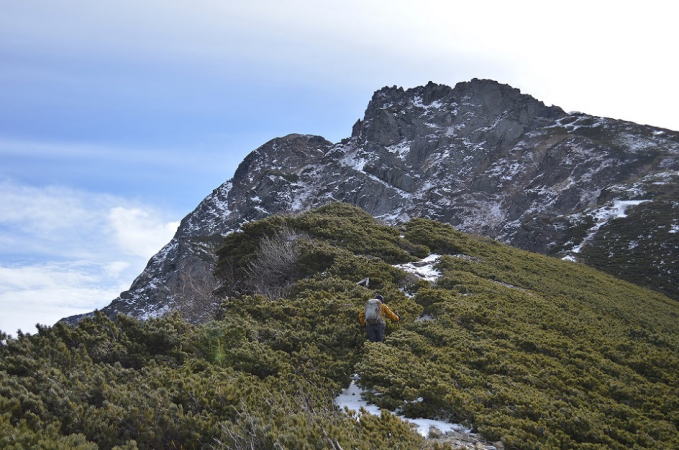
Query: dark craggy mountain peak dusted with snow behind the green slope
[{"x": 481, "y": 156}]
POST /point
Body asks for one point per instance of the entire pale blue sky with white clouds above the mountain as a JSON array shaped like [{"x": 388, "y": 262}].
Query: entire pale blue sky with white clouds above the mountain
[{"x": 118, "y": 117}]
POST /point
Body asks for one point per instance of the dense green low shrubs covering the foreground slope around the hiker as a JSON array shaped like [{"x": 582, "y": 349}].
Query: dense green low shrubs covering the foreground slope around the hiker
[{"x": 527, "y": 349}]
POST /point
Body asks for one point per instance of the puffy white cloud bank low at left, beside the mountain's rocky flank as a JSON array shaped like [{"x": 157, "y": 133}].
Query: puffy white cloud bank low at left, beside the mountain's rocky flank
[{"x": 90, "y": 247}]
